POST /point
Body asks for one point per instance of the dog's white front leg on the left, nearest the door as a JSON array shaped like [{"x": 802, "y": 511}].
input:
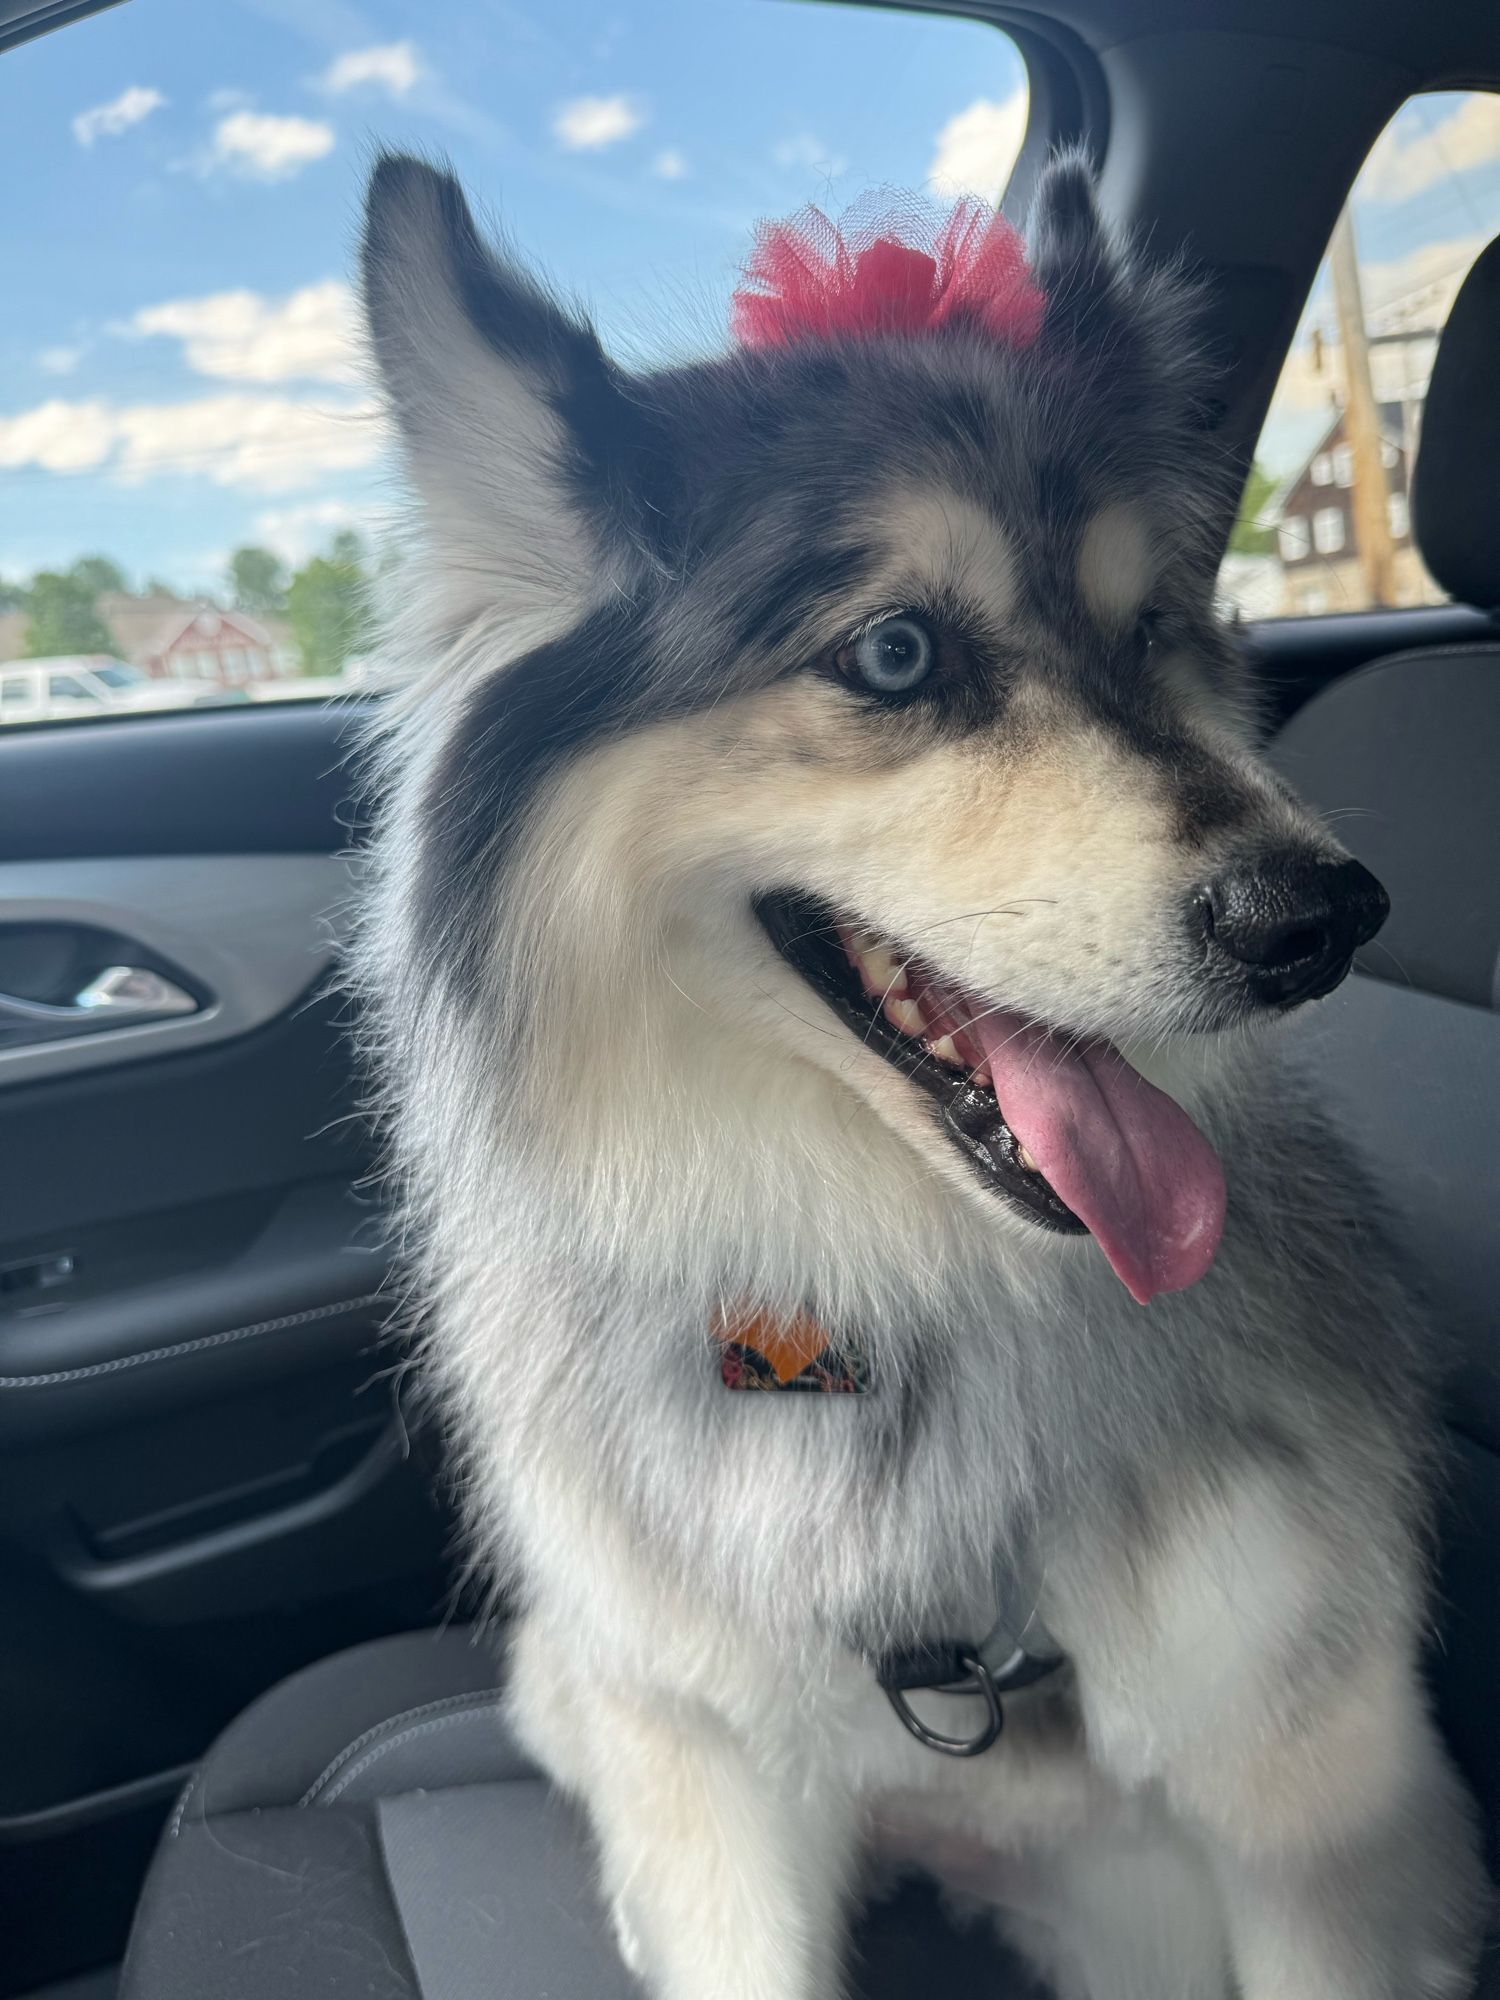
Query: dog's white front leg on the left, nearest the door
[{"x": 725, "y": 1879}]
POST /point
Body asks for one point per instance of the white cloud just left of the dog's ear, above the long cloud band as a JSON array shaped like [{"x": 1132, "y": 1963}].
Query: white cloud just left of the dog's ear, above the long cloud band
[{"x": 241, "y": 337}]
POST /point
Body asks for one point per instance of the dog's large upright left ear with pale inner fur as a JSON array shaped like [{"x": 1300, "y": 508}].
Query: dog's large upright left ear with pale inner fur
[{"x": 519, "y": 433}]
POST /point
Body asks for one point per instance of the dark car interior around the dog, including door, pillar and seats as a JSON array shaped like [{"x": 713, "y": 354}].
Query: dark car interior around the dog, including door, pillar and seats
[{"x": 251, "y": 1689}]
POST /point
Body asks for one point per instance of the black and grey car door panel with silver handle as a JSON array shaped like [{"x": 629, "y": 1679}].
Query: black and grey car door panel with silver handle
[{"x": 207, "y": 1469}]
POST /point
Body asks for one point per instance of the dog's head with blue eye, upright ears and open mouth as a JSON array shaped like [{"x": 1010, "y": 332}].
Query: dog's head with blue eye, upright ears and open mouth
[{"x": 859, "y": 705}]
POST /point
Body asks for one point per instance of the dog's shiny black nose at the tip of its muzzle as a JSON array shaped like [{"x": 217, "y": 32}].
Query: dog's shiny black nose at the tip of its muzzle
[{"x": 1293, "y": 921}]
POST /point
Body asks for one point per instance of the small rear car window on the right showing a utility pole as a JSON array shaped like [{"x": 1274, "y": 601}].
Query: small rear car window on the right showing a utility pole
[{"x": 1325, "y": 523}]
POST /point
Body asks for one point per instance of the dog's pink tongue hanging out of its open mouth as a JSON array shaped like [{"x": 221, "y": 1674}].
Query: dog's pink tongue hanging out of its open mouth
[{"x": 1121, "y": 1153}]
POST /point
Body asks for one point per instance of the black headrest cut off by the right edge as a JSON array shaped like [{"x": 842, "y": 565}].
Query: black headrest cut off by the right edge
[{"x": 1457, "y": 483}]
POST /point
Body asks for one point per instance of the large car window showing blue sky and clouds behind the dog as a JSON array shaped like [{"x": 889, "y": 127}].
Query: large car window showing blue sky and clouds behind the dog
[{"x": 193, "y": 471}]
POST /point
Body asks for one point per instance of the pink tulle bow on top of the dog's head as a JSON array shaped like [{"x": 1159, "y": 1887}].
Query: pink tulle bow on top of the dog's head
[{"x": 895, "y": 271}]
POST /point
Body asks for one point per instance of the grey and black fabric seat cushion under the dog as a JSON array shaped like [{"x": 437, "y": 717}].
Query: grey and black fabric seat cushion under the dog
[{"x": 369, "y": 1829}]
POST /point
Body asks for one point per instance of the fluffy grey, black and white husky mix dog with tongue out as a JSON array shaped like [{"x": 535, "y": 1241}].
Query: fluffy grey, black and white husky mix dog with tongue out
[{"x": 825, "y": 879}]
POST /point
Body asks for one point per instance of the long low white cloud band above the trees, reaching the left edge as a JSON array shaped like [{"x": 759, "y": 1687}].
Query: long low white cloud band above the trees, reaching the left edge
[{"x": 259, "y": 443}]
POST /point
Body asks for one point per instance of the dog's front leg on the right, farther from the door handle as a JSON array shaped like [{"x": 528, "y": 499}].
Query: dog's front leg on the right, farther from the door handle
[{"x": 1263, "y": 1673}]
